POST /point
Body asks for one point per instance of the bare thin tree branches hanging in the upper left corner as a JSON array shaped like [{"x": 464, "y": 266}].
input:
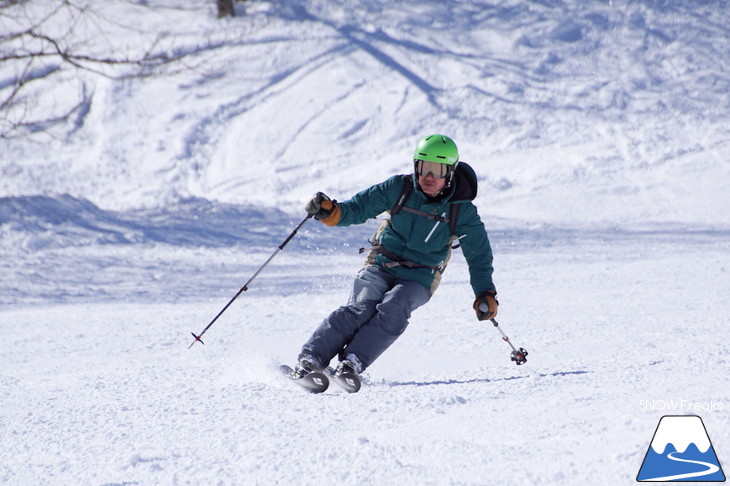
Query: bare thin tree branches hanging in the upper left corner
[{"x": 36, "y": 55}]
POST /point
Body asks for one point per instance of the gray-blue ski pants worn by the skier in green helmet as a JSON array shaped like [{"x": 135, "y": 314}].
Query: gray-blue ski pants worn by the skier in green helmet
[{"x": 375, "y": 315}]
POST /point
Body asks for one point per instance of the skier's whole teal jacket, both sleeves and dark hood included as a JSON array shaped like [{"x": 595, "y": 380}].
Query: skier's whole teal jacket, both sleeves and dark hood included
[{"x": 427, "y": 242}]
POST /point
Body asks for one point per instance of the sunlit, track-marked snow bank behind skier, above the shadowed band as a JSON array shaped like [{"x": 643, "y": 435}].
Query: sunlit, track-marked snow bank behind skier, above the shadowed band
[{"x": 581, "y": 104}]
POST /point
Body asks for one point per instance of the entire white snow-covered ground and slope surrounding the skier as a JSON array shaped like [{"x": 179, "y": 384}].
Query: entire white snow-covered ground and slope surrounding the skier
[{"x": 599, "y": 131}]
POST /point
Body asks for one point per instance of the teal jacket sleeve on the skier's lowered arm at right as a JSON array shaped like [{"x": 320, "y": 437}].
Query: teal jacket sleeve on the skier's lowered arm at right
[{"x": 476, "y": 248}]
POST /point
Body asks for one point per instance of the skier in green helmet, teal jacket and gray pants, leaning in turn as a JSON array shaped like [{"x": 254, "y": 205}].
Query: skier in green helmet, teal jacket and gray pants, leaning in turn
[{"x": 430, "y": 210}]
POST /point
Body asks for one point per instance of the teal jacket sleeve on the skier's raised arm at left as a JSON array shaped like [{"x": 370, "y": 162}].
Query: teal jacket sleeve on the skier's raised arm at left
[{"x": 371, "y": 202}]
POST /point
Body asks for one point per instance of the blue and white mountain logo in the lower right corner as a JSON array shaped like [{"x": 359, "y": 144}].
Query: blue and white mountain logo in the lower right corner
[{"x": 680, "y": 451}]
